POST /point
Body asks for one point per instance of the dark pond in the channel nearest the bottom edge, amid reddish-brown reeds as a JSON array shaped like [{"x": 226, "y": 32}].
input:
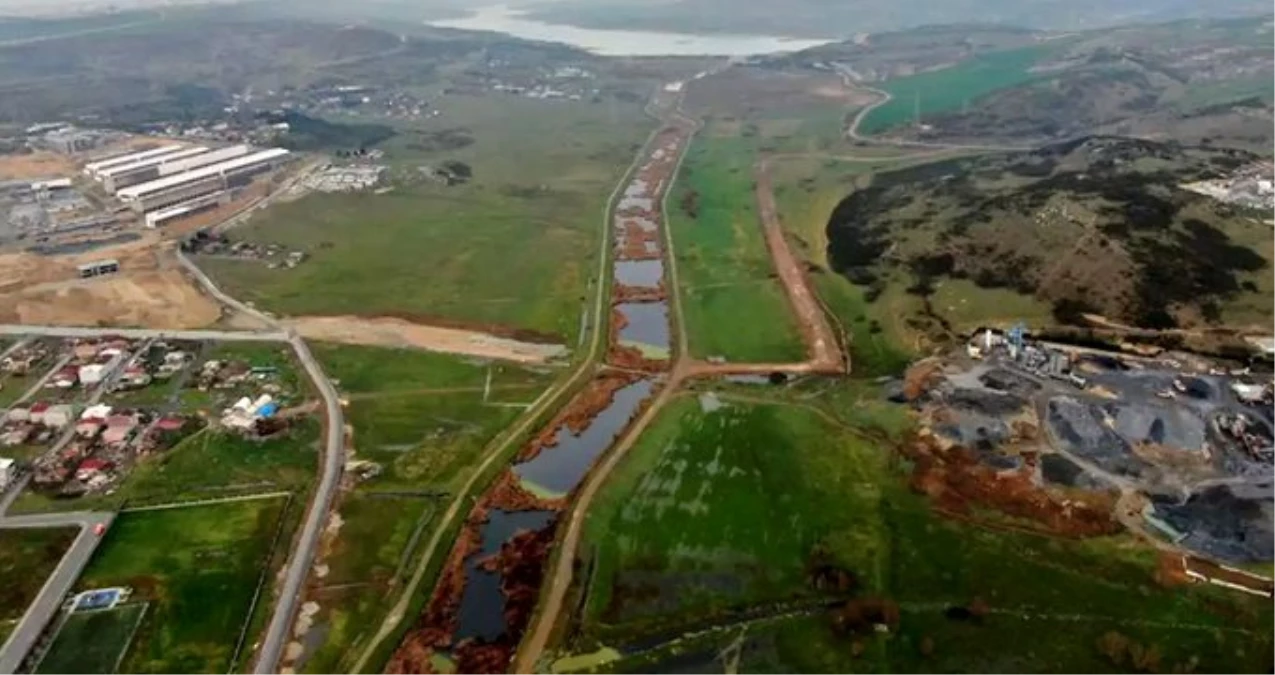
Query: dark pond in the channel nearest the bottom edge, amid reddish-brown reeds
[{"x": 483, "y": 605}]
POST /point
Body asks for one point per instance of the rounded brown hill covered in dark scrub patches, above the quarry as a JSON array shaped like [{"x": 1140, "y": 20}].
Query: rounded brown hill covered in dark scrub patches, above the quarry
[{"x": 1098, "y": 225}]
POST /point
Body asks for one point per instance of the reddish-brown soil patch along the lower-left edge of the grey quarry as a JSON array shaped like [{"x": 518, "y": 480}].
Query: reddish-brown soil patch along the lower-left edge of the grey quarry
[{"x": 956, "y": 480}]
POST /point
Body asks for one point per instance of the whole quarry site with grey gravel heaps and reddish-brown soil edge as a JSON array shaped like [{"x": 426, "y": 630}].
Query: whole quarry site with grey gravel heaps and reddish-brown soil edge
[{"x": 1177, "y": 449}]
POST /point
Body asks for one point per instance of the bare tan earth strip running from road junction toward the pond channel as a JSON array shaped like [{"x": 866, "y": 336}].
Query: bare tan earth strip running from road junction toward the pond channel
[{"x": 401, "y": 334}]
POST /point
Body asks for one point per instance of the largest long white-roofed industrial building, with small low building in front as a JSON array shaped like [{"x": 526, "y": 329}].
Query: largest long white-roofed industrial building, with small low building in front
[{"x": 200, "y": 183}]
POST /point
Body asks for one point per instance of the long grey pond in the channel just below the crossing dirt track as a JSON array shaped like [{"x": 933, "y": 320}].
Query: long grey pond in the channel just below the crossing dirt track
[{"x": 563, "y": 466}]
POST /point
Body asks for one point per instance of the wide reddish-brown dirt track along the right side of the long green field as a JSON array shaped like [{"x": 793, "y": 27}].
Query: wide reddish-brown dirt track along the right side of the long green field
[{"x": 824, "y": 350}]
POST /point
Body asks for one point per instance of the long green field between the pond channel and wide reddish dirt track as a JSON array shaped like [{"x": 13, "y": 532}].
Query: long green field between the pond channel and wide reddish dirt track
[{"x": 735, "y": 307}]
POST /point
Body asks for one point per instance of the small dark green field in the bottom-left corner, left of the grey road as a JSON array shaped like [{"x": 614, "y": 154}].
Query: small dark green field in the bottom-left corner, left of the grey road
[{"x": 27, "y": 558}]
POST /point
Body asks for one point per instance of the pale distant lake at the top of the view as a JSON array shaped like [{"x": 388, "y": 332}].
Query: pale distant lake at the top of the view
[{"x": 503, "y": 20}]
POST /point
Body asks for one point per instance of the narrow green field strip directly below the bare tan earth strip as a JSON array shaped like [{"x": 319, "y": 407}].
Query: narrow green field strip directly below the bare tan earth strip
[{"x": 370, "y": 371}]
